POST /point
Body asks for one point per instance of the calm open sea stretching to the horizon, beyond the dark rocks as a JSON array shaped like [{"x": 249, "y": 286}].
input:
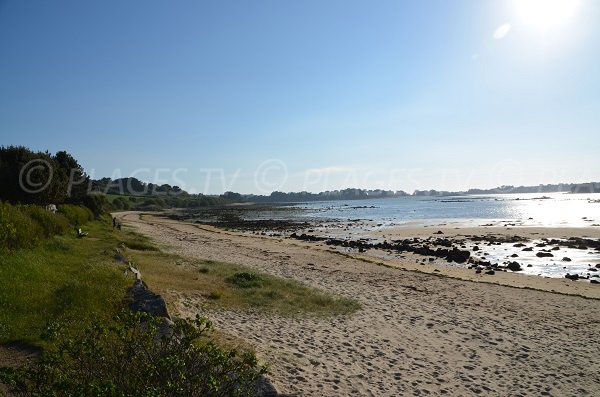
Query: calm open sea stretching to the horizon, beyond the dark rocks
[{"x": 552, "y": 210}]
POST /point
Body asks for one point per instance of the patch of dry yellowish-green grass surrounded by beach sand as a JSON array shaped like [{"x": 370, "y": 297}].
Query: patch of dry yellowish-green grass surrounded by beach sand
[{"x": 232, "y": 286}]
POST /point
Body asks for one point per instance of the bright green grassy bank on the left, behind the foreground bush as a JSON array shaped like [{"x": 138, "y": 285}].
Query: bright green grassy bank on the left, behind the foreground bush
[{"x": 62, "y": 280}]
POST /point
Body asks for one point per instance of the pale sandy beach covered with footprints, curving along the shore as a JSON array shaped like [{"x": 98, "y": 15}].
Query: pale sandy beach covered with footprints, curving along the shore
[{"x": 417, "y": 334}]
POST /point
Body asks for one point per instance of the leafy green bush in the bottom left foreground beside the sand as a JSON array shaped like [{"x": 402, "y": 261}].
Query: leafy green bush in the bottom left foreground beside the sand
[{"x": 135, "y": 357}]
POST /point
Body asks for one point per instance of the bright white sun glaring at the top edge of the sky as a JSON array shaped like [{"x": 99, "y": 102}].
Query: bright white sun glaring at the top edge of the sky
[{"x": 546, "y": 14}]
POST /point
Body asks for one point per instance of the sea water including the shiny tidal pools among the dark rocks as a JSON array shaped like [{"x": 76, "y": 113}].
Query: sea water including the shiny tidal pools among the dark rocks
[{"x": 359, "y": 219}]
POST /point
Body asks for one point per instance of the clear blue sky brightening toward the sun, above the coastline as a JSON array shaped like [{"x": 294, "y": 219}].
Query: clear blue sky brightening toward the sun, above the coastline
[{"x": 256, "y": 96}]
